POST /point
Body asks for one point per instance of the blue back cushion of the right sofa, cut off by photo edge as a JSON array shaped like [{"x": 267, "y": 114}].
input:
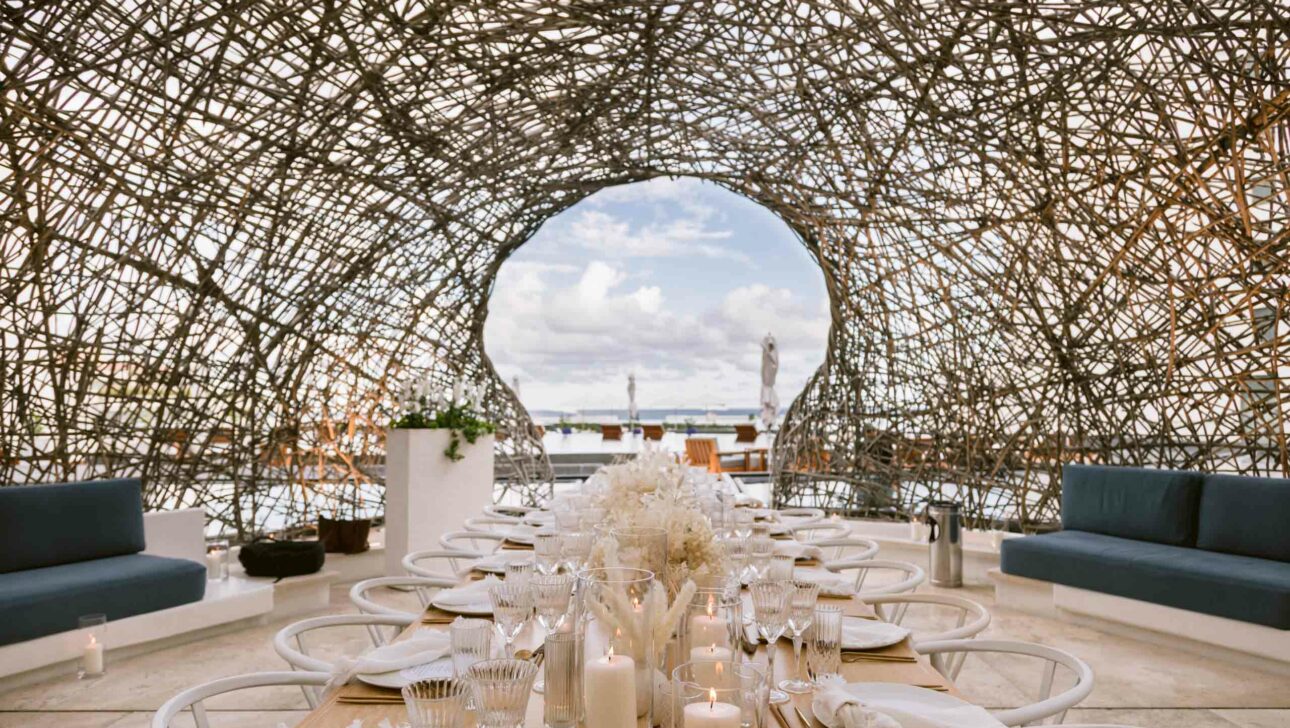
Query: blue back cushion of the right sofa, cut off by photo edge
[{"x": 1245, "y": 516}]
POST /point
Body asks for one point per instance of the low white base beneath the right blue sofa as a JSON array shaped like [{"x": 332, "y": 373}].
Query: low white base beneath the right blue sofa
[{"x": 1234, "y": 641}]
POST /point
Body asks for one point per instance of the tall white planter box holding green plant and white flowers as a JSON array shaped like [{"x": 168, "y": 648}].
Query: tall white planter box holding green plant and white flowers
[{"x": 429, "y": 495}]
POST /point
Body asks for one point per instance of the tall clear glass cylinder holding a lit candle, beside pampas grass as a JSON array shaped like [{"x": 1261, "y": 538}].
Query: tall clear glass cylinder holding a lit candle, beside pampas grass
[{"x": 615, "y": 616}]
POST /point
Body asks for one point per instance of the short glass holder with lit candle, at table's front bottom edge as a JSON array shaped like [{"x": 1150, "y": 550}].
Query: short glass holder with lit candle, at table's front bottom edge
[{"x": 719, "y": 695}]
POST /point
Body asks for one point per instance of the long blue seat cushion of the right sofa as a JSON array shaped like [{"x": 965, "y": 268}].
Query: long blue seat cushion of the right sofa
[{"x": 1239, "y": 588}]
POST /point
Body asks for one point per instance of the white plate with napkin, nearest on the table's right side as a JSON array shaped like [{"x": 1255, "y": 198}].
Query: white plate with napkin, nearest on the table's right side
[{"x": 837, "y": 708}]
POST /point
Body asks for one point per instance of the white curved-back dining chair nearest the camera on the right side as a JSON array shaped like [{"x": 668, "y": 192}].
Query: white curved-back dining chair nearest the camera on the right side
[{"x": 1048, "y": 707}]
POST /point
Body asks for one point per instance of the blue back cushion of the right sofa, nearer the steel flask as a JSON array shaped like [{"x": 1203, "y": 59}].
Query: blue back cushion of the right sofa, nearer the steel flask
[{"x": 1132, "y": 503}]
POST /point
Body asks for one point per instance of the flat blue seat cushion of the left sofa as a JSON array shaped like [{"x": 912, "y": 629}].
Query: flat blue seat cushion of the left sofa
[{"x": 50, "y": 601}]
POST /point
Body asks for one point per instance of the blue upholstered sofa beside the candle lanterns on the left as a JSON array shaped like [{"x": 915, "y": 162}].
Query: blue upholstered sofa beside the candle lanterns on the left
[{"x": 74, "y": 549}]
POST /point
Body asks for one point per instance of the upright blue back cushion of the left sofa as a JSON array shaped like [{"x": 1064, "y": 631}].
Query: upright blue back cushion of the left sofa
[{"x": 43, "y": 526}]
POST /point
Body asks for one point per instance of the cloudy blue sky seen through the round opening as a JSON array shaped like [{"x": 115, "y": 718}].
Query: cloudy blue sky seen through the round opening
[{"x": 677, "y": 281}]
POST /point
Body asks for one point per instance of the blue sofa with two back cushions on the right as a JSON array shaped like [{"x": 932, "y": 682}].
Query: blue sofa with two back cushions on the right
[{"x": 1212, "y": 544}]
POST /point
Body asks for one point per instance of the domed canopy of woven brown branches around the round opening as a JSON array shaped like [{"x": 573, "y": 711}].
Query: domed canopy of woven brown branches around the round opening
[{"x": 1051, "y": 232}]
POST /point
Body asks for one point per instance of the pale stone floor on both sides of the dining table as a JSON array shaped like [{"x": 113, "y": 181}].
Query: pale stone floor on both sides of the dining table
[{"x": 1137, "y": 683}]
